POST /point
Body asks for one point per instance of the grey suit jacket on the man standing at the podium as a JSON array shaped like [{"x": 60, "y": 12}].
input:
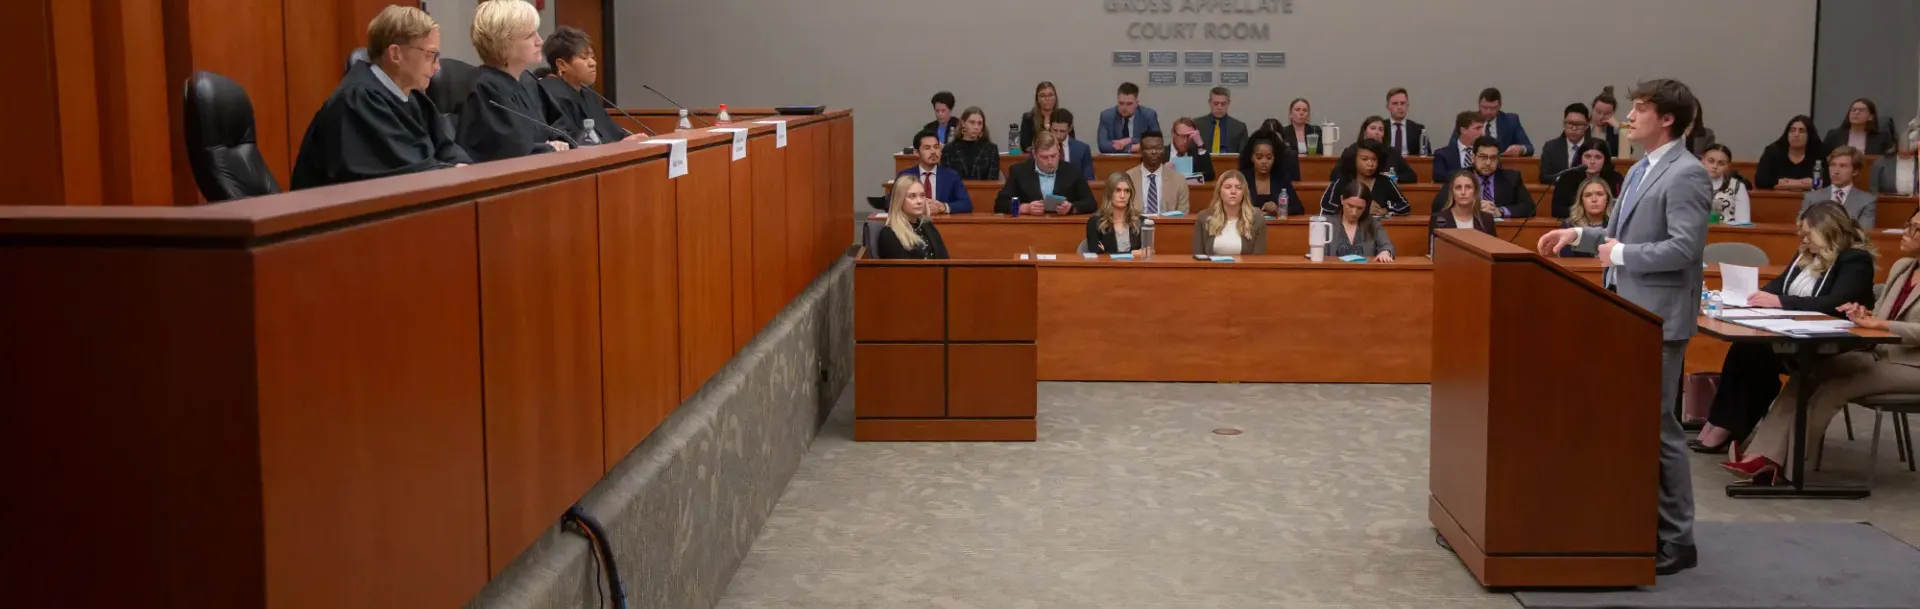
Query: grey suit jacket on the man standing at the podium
[{"x": 1664, "y": 231}]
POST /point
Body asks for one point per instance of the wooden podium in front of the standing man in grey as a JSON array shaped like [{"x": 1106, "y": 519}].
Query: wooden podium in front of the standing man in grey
[{"x": 1545, "y": 420}]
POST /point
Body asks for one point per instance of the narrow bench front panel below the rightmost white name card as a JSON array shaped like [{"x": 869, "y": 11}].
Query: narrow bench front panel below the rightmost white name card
[{"x": 769, "y": 230}]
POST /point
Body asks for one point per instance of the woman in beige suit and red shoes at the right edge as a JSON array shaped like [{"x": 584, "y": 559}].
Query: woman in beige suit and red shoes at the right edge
[{"x": 1846, "y": 378}]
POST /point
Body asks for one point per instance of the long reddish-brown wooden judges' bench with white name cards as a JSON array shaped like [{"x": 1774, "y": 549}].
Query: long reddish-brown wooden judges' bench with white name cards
[{"x": 377, "y": 395}]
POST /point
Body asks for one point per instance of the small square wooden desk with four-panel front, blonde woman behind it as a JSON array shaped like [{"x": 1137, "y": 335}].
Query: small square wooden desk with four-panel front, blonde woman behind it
[{"x": 944, "y": 351}]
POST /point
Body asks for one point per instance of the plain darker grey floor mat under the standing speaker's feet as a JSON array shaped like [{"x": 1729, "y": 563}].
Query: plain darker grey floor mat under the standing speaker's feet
[{"x": 1773, "y": 566}]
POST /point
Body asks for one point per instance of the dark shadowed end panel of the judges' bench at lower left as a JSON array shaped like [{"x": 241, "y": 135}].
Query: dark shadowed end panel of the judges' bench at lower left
[{"x": 93, "y": 431}]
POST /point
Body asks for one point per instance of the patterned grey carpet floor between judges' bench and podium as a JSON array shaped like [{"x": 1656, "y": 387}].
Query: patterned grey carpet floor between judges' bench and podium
[{"x": 1132, "y": 502}]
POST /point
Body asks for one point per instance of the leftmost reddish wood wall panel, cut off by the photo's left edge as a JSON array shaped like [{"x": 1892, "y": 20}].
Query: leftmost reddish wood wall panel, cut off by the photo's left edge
[{"x": 36, "y": 105}]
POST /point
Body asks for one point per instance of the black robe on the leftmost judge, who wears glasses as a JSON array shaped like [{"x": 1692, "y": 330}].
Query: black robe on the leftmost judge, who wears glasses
[{"x": 364, "y": 132}]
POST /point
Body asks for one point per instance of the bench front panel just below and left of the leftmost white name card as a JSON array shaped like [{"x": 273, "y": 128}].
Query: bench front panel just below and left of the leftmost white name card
[{"x": 640, "y": 303}]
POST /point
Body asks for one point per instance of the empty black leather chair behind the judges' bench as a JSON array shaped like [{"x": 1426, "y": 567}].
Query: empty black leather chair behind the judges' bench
[{"x": 220, "y": 141}]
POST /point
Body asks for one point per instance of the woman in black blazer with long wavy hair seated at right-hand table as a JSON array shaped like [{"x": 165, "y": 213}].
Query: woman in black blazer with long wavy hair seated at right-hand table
[{"x": 1833, "y": 268}]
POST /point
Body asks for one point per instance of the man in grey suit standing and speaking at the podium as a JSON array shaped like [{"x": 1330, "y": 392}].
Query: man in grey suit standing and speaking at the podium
[{"x": 1654, "y": 251}]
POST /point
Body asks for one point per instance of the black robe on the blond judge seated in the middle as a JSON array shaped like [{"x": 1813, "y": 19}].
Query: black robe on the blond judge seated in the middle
[{"x": 491, "y": 134}]
